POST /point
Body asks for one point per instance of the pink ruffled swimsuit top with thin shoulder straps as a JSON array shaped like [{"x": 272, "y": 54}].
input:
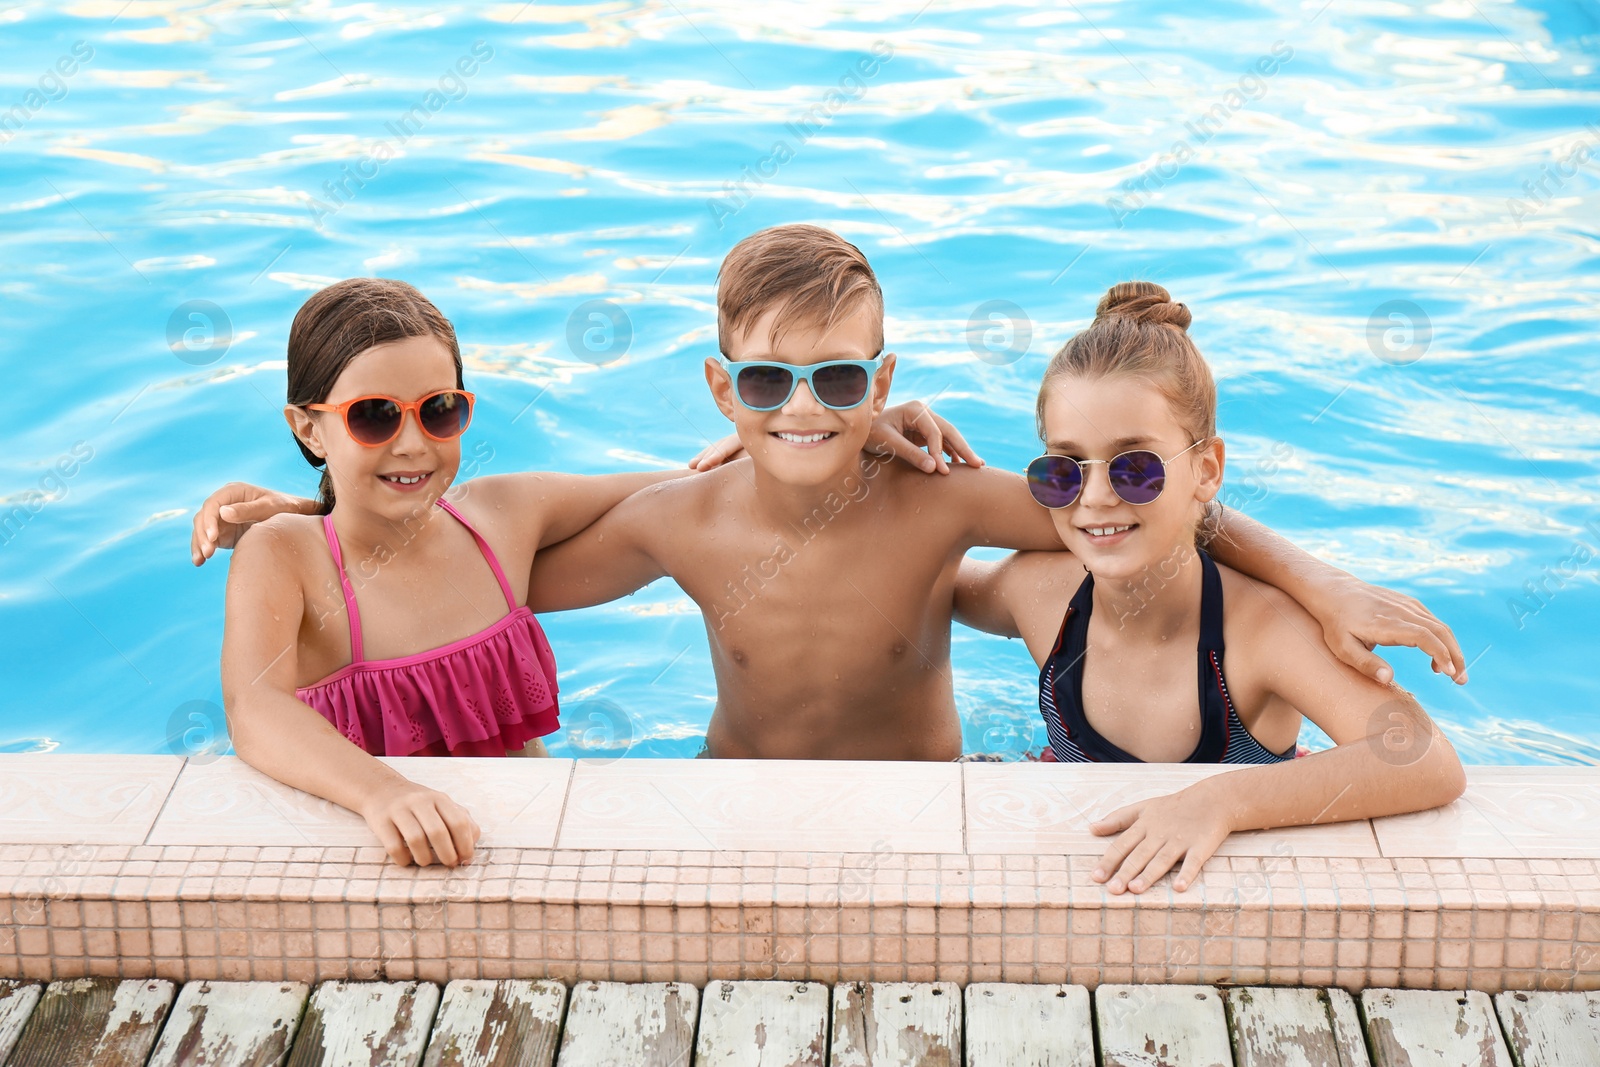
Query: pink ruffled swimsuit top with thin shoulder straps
[{"x": 478, "y": 697}]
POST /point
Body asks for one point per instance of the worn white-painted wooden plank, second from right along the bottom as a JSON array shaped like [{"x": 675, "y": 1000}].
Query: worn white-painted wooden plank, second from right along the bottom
[{"x": 1420, "y": 1028}]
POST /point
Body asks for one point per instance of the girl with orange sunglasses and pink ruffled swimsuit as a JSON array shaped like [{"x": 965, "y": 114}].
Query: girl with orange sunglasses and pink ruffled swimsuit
[{"x": 394, "y": 623}]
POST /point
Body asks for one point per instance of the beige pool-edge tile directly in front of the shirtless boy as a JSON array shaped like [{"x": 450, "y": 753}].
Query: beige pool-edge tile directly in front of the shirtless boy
[{"x": 782, "y": 805}]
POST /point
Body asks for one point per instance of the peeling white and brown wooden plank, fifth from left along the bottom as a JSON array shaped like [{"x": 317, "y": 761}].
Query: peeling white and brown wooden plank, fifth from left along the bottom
[{"x": 497, "y": 1025}]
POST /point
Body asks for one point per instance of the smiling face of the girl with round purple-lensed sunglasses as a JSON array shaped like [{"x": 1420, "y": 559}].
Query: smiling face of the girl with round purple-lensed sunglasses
[{"x": 1098, "y": 418}]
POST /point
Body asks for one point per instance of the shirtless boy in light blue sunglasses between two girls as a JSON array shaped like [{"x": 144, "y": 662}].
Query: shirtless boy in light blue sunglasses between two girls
[{"x": 826, "y": 577}]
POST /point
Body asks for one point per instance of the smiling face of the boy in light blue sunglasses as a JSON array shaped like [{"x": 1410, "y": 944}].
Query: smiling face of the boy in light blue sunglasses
[{"x": 806, "y": 444}]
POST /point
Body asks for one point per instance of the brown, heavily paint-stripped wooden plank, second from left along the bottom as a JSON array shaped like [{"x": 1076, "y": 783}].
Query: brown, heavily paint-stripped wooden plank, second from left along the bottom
[{"x": 98, "y": 1021}]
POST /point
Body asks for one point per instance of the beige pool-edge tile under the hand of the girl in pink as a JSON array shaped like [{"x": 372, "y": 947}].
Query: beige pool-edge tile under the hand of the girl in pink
[{"x": 228, "y": 802}]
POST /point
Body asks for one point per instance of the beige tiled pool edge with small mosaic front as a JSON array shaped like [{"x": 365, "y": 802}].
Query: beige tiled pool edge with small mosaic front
[{"x": 890, "y": 911}]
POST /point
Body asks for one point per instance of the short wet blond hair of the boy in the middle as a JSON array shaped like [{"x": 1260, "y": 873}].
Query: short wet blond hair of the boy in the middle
[{"x": 815, "y": 276}]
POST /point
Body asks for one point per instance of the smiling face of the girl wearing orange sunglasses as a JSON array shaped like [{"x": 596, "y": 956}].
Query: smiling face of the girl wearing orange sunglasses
[{"x": 412, "y": 471}]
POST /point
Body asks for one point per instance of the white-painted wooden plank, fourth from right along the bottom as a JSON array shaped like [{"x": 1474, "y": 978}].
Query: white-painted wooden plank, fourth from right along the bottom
[{"x": 1162, "y": 1026}]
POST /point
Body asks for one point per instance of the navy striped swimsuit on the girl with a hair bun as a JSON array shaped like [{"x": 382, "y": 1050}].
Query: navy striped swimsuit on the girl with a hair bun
[{"x": 1223, "y": 737}]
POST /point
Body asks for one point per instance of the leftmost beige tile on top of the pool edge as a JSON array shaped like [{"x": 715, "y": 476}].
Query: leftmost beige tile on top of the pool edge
[{"x": 82, "y": 799}]
